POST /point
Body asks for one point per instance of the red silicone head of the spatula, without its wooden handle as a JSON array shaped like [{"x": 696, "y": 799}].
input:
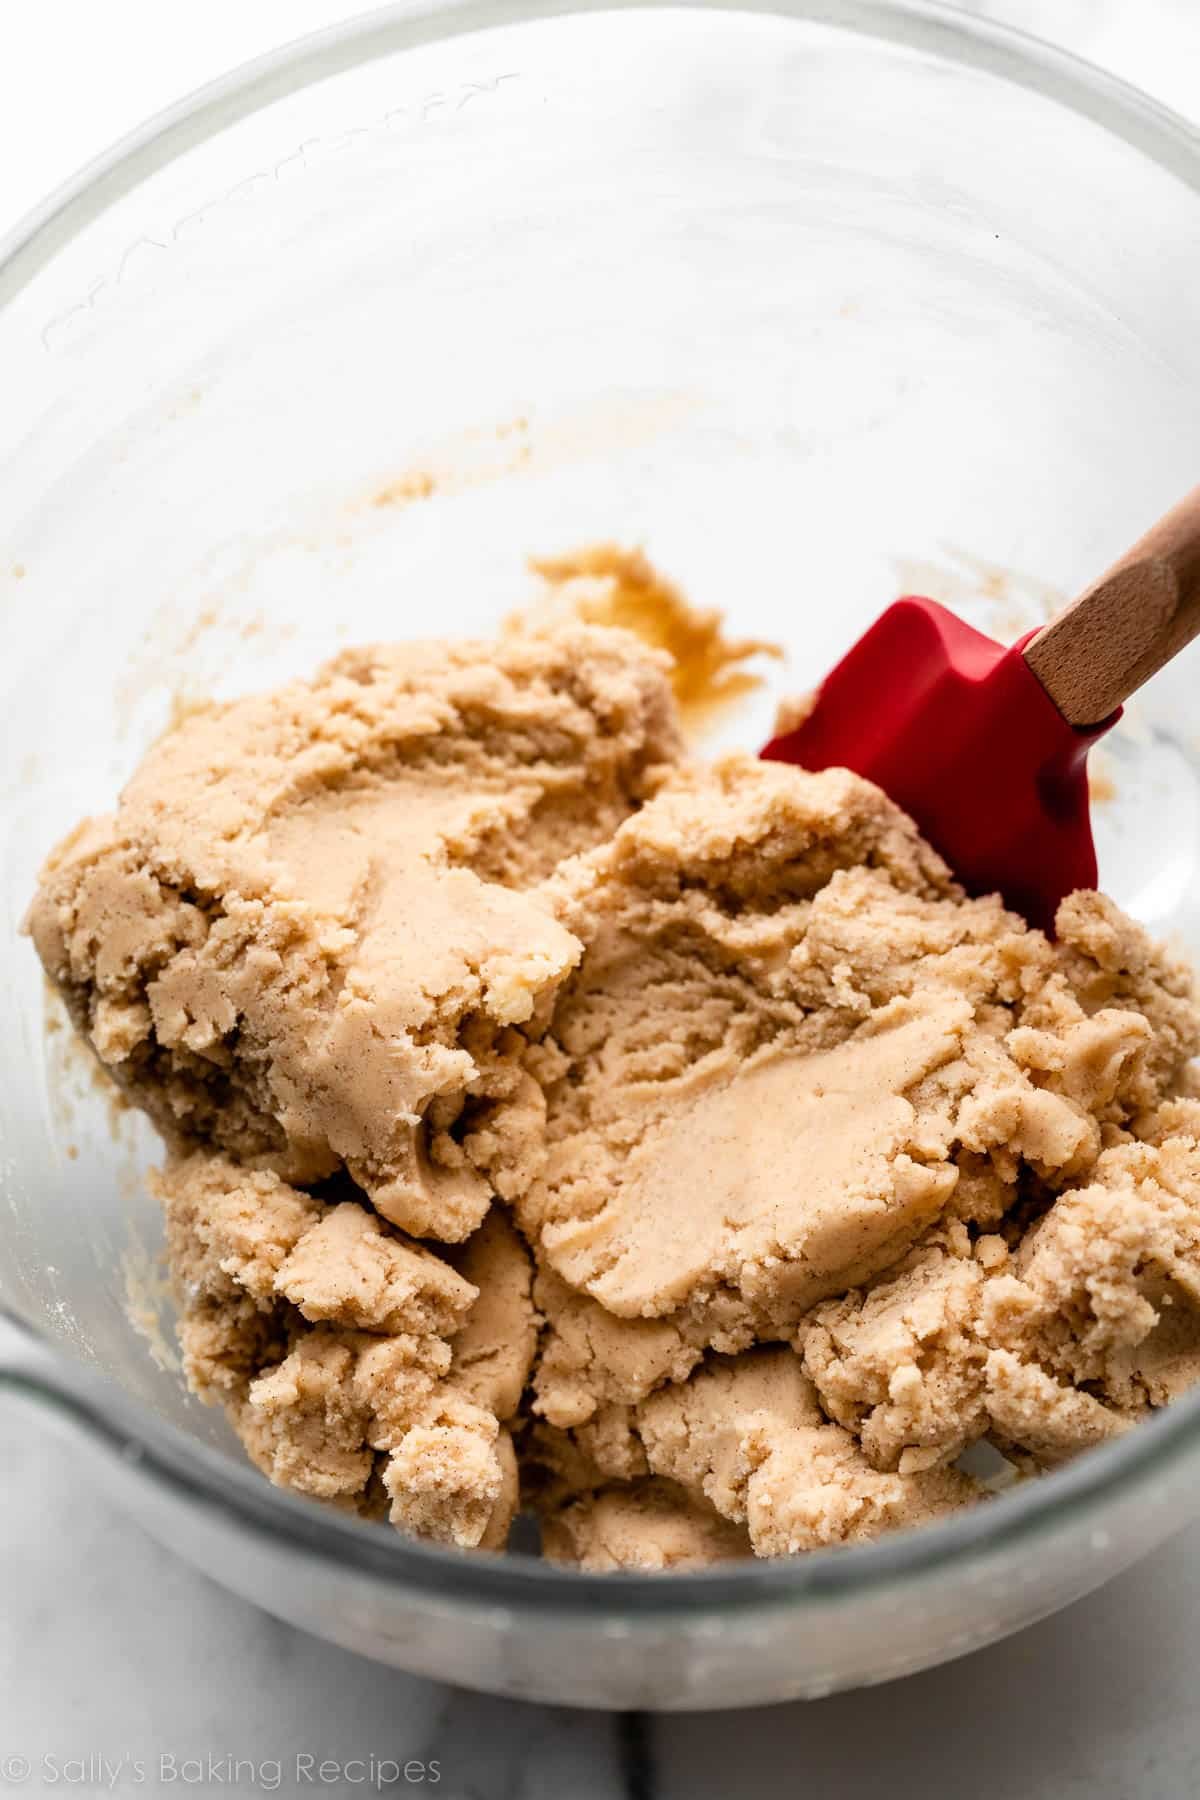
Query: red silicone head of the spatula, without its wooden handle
[{"x": 963, "y": 735}]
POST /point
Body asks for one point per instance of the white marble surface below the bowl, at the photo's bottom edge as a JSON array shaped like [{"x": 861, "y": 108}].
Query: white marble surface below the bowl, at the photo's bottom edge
[{"x": 112, "y": 1648}]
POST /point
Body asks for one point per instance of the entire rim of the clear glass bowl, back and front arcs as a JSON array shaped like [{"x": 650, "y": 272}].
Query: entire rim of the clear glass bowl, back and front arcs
[{"x": 226, "y": 1488}]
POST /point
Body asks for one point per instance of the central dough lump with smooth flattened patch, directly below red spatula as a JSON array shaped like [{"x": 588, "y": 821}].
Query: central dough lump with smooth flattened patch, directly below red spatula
[{"x": 785, "y": 1032}]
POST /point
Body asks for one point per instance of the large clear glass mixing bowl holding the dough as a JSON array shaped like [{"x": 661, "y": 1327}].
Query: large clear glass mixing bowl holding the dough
[{"x": 819, "y": 303}]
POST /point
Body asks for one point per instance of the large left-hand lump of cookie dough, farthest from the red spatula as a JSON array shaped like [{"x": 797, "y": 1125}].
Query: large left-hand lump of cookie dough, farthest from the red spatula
[{"x": 316, "y": 913}]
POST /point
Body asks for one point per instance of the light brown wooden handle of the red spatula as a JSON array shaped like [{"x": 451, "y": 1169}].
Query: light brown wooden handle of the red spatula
[{"x": 1127, "y": 625}]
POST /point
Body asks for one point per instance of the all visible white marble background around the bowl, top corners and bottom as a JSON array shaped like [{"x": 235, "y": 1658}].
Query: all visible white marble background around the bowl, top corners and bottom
[{"x": 112, "y": 1650}]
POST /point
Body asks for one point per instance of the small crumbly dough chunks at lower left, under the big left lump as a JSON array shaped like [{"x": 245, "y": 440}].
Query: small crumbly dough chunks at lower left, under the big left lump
[{"x": 354, "y": 1363}]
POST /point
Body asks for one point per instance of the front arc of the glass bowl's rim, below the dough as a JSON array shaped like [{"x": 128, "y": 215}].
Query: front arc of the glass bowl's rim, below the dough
[{"x": 228, "y": 1489}]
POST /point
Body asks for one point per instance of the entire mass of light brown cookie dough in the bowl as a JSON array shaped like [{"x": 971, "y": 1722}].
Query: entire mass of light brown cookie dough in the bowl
[{"x": 668, "y": 1147}]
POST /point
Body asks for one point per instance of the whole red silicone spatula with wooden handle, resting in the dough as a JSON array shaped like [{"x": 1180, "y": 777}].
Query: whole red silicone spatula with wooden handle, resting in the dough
[{"x": 987, "y": 746}]
